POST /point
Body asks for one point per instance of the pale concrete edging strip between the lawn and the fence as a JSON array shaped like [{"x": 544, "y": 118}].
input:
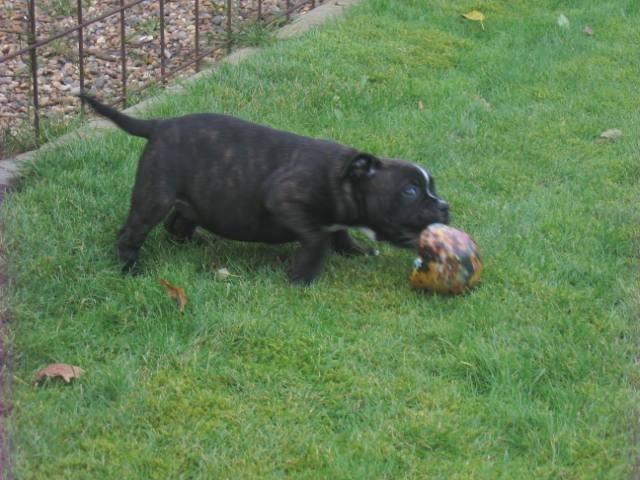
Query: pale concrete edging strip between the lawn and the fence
[{"x": 10, "y": 168}]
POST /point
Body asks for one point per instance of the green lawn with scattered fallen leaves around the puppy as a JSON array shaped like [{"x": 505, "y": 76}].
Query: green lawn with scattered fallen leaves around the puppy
[{"x": 532, "y": 375}]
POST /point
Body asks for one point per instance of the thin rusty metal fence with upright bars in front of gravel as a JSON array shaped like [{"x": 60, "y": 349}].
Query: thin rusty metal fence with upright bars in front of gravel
[{"x": 188, "y": 59}]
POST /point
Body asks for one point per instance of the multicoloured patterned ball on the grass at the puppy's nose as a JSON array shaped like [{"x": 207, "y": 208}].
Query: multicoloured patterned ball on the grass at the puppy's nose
[{"x": 449, "y": 260}]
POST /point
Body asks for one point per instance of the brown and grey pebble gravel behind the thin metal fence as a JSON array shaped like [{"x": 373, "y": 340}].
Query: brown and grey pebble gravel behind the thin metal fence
[{"x": 58, "y": 70}]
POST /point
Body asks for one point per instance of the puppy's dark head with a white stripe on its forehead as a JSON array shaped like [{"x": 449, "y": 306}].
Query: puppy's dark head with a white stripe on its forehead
[{"x": 398, "y": 198}]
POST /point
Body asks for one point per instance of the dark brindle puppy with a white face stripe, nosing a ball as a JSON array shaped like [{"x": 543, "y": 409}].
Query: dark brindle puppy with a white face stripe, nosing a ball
[{"x": 249, "y": 182}]
